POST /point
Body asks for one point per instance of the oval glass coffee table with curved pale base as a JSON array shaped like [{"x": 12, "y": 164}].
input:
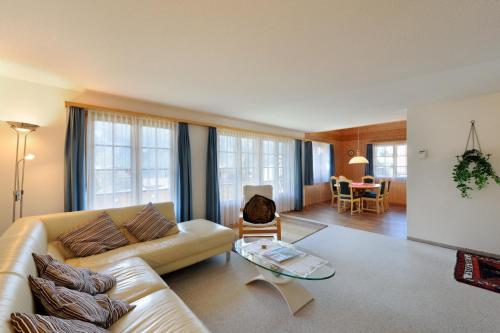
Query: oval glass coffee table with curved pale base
[{"x": 286, "y": 281}]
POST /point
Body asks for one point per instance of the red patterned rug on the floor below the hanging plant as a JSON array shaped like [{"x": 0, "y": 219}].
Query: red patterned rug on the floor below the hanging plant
[{"x": 479, "y": 271}]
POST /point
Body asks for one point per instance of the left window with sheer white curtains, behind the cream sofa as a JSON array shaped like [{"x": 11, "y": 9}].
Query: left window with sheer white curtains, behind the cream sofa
[{"x": 137, "y": 143}]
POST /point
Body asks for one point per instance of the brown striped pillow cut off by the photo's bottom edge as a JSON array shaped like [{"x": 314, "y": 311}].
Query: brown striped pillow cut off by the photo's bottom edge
[{"x": 33, "y": 323}]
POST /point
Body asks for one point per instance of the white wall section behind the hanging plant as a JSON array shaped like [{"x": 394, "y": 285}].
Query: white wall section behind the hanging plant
[{"x": 436, "y": 211}]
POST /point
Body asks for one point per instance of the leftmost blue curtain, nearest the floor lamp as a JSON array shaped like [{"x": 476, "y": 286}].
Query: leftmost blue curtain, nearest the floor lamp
[{"x": 74, "y": 161}]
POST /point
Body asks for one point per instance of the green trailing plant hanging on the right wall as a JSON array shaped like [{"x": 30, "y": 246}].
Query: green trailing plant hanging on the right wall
[{"x": 474, "y": 166}]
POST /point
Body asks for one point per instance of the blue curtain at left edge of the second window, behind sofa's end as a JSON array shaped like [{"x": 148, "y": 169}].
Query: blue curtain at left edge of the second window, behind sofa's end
[{"x": 212, "y": 208}]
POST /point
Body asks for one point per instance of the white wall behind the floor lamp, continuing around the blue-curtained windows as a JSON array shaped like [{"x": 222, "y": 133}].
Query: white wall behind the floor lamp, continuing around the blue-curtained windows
[{"x": 44, "y": 105}]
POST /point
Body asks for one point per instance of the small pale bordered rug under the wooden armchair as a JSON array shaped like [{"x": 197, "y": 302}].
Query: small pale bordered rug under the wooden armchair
[{"x": 294, "y": 229}]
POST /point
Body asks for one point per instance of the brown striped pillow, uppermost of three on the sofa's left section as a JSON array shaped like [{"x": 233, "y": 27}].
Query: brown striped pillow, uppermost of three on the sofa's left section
[{"x": 64, "y": 275}]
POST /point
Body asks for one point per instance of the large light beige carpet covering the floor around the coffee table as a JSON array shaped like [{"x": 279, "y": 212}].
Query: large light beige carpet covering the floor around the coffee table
[{"x": 382, "y": 284}]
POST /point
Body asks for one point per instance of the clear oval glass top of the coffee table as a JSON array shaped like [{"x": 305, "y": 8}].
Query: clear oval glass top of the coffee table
[{"x": 325, "y": 271}]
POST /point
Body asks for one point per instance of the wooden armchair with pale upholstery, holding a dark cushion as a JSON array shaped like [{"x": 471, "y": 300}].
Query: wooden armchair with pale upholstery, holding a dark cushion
[{"x": 248, "y": 228}]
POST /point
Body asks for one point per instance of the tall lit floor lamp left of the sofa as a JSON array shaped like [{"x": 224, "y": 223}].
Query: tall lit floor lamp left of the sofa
[{"x": 22, "y": 132}]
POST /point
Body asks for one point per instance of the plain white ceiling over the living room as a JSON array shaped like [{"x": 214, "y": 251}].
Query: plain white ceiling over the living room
[{"x": 307, "y": 65}]
